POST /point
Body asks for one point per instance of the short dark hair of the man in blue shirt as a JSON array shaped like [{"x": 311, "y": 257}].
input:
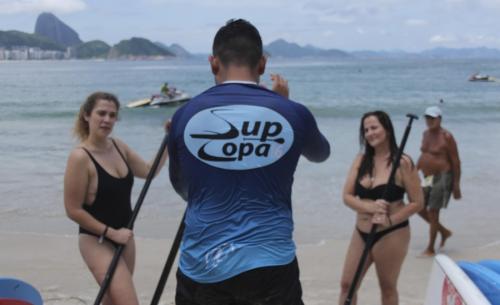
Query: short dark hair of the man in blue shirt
[{"x": 239, "y": 43}]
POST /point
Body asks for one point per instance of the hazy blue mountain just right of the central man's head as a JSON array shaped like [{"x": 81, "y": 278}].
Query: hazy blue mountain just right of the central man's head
[{"x": 282, "y": 48}]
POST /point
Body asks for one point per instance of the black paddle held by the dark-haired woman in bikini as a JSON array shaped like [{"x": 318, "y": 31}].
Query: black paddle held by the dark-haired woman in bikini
[{"x": 371, "y": 236}]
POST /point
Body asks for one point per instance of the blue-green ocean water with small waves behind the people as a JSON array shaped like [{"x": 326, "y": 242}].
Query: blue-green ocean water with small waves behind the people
[{"x": 39, "y": 101}]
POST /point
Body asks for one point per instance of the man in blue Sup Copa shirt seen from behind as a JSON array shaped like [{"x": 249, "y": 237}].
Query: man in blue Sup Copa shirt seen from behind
[{"x": 233, "y": 152}]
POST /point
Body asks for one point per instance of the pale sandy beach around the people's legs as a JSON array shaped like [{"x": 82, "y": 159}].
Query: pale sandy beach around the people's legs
[{"x": 53, "y": 264}]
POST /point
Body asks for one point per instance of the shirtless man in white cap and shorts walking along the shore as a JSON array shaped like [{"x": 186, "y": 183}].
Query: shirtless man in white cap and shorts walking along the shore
[{"x": 440, "y": 165}]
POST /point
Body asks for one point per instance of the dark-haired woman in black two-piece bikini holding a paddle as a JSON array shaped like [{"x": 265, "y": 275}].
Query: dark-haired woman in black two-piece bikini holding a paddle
[{"x": 363, "y": 191}]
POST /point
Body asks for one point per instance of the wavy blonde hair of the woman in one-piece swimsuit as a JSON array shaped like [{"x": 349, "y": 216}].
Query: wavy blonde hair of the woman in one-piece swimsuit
[{"x": 81, "y": 130}]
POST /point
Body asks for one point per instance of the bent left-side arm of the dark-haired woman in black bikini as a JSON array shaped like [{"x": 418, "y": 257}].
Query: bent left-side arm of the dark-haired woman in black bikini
[{"x": 353, "y": 201}]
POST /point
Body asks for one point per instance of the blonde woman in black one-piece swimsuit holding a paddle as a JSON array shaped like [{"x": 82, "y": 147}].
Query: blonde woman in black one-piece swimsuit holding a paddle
[{"x": 97, "y": 186}]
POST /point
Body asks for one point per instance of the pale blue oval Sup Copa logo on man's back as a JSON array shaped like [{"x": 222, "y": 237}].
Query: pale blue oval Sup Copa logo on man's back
[{"x": 238, "y": 137}]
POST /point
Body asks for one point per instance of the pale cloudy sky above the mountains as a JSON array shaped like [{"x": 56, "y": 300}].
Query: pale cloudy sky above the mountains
[{"x": 410, "y": 25}]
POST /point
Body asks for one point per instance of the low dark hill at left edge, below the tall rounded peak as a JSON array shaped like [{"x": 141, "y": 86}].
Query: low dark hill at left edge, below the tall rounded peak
[{"x": 9, "y": 39}]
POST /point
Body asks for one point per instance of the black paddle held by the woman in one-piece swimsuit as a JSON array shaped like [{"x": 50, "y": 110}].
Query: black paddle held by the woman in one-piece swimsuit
[{"x": 118, "y": 252}]
